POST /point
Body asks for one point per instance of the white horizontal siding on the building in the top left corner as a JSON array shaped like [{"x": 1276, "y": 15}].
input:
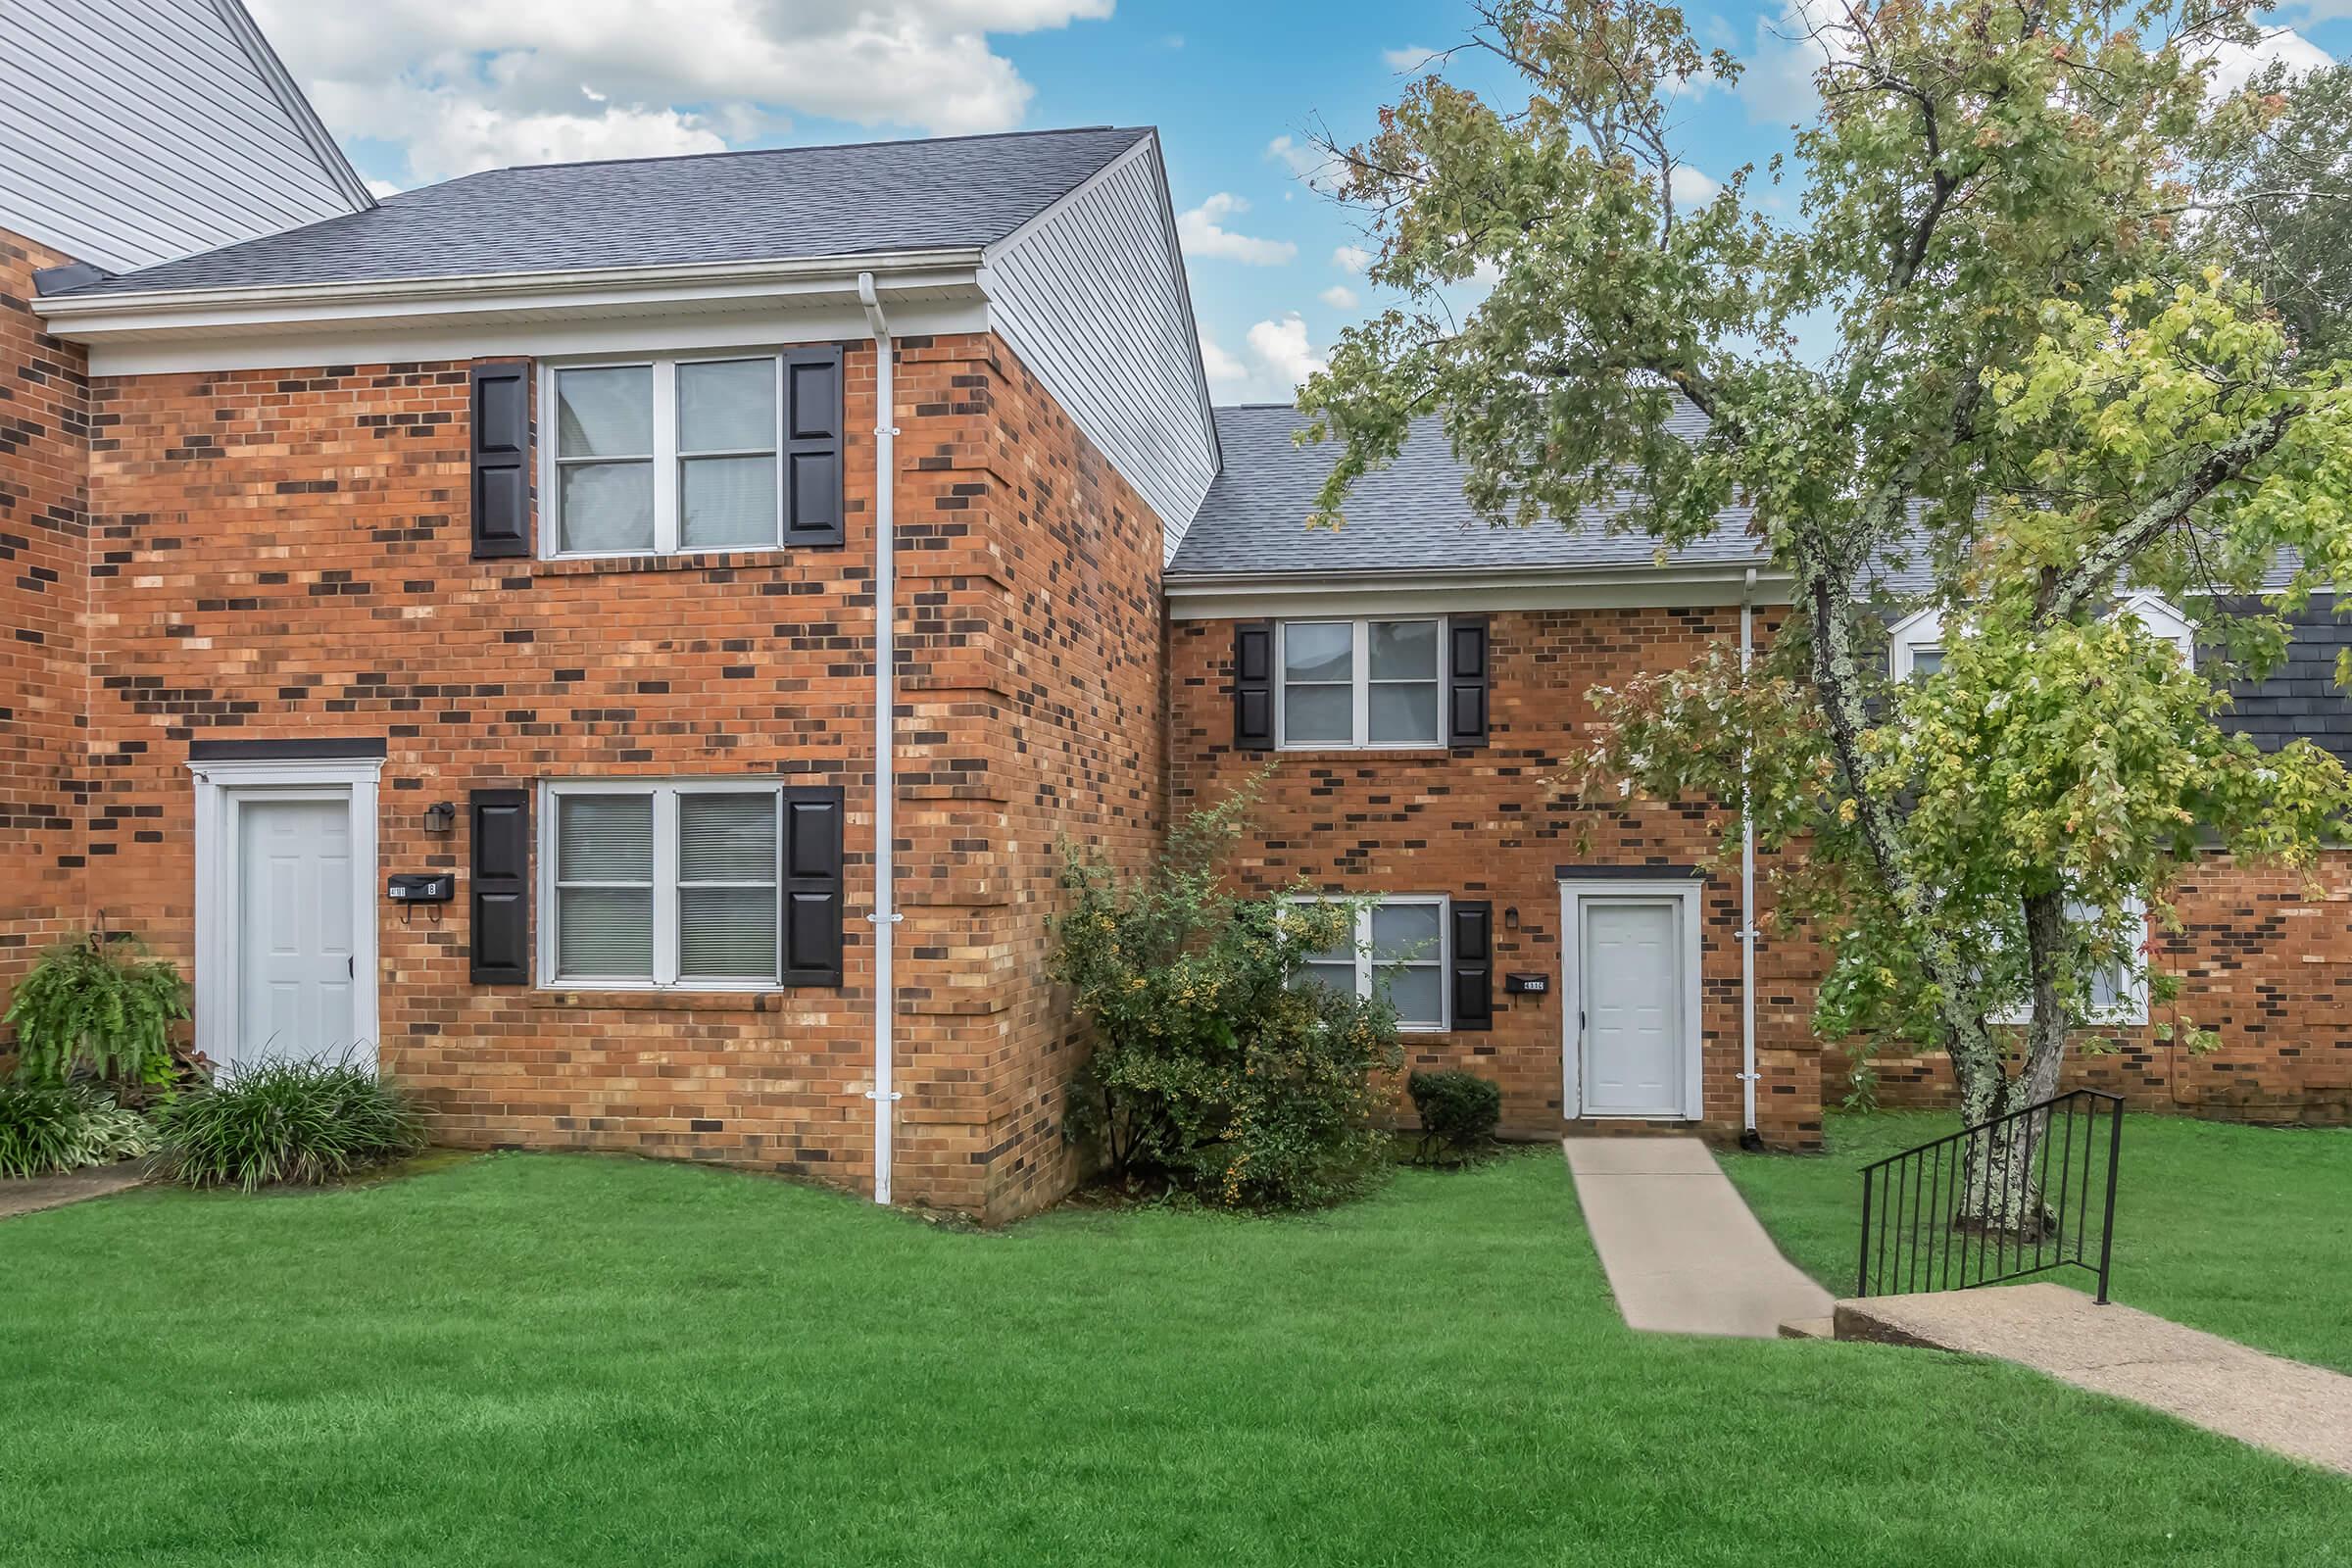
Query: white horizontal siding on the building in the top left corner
[{"x": 142, "y": 130}]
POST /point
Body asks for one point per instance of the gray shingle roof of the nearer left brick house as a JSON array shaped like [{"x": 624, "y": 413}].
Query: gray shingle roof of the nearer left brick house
[{"x": 775, "y": 206}]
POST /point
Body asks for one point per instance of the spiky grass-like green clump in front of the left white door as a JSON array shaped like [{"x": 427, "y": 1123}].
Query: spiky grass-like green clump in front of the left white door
[{"x": 286, "y": 1123}]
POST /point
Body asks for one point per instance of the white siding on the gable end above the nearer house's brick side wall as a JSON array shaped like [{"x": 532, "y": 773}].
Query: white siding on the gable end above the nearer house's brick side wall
[{"x": 1093, "y": 302}]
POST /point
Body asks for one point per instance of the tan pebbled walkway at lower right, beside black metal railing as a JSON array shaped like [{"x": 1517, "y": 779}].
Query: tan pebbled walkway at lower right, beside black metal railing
[{"x": 2207, "y": 1381}]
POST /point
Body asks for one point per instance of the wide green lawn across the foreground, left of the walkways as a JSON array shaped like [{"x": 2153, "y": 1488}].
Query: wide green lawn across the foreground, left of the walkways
[{"x": 566, "y": 1360}]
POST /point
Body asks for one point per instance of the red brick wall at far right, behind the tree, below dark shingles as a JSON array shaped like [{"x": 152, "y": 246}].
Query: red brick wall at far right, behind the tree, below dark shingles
[{"x": 2264, "y": 960}]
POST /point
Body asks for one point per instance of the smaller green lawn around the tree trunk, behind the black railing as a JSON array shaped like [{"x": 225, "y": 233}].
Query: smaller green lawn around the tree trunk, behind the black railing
[{"x": 2243, "y": 1231}]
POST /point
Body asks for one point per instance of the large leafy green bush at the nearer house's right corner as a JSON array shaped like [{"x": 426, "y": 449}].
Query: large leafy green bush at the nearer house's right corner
[{"x": 1215, "y": 1071}]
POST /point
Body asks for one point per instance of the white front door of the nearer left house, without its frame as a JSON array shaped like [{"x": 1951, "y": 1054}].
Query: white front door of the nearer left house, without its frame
[{"x": 298, "y": 960}]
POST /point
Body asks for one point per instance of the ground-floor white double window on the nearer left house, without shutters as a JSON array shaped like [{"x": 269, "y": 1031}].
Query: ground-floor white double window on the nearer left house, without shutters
[{"x": 664, "y": 885}]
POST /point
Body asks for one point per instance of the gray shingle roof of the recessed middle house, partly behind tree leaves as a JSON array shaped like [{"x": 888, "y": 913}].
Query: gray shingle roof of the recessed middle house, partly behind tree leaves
[{"x": 1403, "y": 518}]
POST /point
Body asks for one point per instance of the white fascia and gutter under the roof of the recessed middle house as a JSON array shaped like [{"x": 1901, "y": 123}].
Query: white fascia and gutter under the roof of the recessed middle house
[{"x": 1379, "y": 594}]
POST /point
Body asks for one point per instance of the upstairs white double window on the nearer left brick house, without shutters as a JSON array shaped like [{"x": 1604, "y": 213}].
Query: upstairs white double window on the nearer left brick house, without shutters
[{"x": 667, "y": 455}]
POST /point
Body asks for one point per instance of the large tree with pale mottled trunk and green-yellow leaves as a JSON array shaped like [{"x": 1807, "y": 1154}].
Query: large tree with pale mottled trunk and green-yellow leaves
[{"x": 2043, "y": 387}]
